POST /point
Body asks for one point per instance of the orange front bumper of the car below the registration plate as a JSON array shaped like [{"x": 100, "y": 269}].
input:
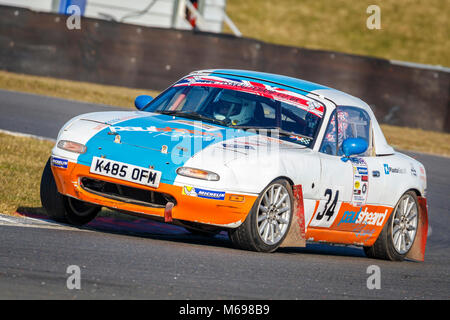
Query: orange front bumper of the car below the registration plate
[{"x": 208, "y": 211}]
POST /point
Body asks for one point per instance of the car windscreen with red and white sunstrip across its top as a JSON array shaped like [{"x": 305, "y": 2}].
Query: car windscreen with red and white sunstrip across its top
[{"x": 245, "y": 105}]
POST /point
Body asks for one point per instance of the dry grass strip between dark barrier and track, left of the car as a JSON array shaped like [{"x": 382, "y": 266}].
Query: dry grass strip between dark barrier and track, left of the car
[{"x": 72, "y": 90}]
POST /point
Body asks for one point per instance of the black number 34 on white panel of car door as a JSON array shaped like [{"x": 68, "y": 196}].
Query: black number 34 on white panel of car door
[{"x": 327, "y": 210}]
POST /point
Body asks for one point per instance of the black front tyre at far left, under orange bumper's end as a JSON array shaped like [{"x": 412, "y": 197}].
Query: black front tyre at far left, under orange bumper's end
[{"x": 62, "y": 208}]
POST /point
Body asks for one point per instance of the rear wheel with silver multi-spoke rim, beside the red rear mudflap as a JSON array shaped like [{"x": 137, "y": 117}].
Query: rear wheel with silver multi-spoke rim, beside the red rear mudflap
[{"x": 399, "y": 233}]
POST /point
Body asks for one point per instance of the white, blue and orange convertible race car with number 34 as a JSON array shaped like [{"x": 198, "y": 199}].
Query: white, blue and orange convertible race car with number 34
[{"x": 273, "y": 160}]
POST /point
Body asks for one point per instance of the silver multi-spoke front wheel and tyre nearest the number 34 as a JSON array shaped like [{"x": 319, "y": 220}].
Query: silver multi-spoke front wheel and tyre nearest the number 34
[{"x": 269, "y": 220}]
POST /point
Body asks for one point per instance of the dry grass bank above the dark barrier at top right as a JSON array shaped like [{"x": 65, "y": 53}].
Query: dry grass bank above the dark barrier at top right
[{"x": 411, "y": 30}]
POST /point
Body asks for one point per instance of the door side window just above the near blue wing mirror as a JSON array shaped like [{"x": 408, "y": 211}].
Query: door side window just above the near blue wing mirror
[{"x": 353, "y": 123}]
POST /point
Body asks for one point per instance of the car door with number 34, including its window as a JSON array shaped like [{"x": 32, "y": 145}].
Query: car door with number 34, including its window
[{"x": 355, "y": 182}]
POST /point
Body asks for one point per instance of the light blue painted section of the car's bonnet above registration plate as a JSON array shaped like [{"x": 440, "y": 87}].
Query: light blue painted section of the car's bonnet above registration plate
[{"x": 141, "y": 145}]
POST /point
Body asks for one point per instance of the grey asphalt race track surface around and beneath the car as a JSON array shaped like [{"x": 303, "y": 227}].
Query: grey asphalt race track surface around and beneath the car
[{"x": 165, "y": 262}]
